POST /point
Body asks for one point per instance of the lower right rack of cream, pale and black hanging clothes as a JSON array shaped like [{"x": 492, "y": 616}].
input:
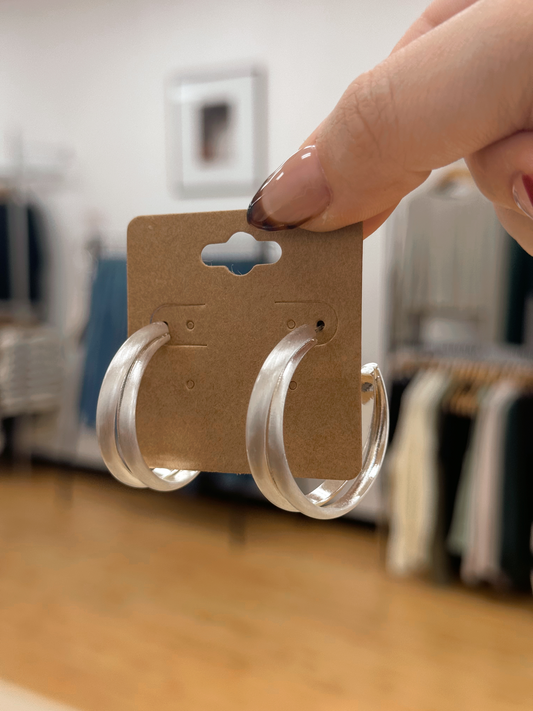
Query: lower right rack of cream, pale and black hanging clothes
[{"x": 459, "y": 465}]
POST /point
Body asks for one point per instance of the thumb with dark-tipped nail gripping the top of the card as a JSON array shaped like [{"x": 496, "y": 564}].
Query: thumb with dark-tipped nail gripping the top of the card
[{"x": 449, "y": 93}]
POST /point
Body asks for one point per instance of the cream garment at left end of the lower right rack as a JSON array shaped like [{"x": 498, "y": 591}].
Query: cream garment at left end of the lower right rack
[{"x": 413, "y": 473}]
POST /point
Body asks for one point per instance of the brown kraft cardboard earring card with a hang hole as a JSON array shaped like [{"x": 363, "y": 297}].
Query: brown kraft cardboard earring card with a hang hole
[{"x": 193, "y": 400}]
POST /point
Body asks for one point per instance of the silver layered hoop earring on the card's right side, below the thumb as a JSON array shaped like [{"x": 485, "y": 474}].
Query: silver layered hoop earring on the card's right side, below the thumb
[{"x": 265, "y": 444}]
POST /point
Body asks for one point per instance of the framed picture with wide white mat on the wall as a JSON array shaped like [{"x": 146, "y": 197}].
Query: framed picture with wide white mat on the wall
[{"x": 217, "y": 137}]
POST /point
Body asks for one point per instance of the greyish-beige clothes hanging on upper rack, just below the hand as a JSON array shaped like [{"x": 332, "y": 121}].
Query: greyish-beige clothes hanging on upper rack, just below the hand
[{"x": 448, "y": 268}]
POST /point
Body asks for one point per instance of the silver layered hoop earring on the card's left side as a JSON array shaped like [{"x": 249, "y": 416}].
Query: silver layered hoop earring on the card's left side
[{"x": 116, "y": 414}]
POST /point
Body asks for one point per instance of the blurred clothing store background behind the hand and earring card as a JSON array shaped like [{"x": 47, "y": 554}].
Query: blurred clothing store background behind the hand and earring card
[{"x": 209, "y": 598}]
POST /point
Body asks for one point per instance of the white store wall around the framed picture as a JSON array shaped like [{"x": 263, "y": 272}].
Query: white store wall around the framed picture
[{"x": 91, "y": 74}]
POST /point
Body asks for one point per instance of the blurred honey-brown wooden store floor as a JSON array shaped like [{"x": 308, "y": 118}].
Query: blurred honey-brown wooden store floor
[{"x": 119, "y": 600}]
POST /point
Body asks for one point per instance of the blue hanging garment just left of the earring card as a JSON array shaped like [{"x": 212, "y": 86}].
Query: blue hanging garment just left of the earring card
[{"x": 106, "y": 331}]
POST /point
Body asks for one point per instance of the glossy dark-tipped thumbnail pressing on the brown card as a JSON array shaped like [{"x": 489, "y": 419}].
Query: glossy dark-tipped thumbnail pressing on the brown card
[{"x": 294, "y": 194}]
